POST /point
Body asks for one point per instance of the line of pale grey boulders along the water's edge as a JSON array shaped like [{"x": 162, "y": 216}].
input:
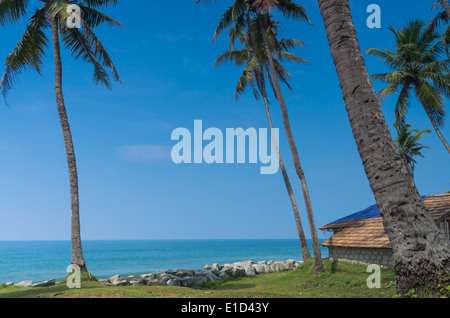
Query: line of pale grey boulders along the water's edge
[{"x": 187, "y": 277}]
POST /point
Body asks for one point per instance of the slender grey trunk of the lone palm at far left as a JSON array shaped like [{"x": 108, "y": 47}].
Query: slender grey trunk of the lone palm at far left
[{"x": 77, "y": 251}]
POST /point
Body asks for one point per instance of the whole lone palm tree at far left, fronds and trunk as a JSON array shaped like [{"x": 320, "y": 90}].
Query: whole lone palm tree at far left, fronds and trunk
[{"x": 82, "y": 44}]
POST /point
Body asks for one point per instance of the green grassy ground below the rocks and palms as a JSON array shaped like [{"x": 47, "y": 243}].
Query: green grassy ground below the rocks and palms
[{"x": 340, "y": 279}]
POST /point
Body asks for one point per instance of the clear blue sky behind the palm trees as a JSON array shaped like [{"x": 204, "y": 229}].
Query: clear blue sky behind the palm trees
[{"x": 130, "y": 188}]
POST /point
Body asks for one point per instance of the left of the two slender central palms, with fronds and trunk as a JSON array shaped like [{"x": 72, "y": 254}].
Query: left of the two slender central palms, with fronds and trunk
[{"x": 255, "y": 61}]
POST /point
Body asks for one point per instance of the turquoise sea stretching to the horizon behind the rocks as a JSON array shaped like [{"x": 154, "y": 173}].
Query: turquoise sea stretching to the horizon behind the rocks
[{"x": 43, "y": 260}]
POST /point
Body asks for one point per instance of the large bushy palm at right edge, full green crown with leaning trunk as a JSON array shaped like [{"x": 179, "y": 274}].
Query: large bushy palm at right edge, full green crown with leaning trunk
[{"x": 417, "y": 65}]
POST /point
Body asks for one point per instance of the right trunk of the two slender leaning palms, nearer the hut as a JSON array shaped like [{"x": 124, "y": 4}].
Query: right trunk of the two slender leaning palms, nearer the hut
[{"x": 293, "y": 147}]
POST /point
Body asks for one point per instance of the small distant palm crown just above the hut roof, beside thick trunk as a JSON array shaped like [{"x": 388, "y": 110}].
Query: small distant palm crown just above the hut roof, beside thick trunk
[{"x": 408, "y": 145}]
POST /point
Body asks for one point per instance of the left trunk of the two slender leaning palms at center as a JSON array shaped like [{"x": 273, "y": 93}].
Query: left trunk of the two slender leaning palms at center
[{"x": 301, "y": 234}]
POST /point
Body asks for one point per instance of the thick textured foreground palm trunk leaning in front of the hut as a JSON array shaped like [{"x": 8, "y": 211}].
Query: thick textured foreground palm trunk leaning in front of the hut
[{"x": 420, "y": 253}]
